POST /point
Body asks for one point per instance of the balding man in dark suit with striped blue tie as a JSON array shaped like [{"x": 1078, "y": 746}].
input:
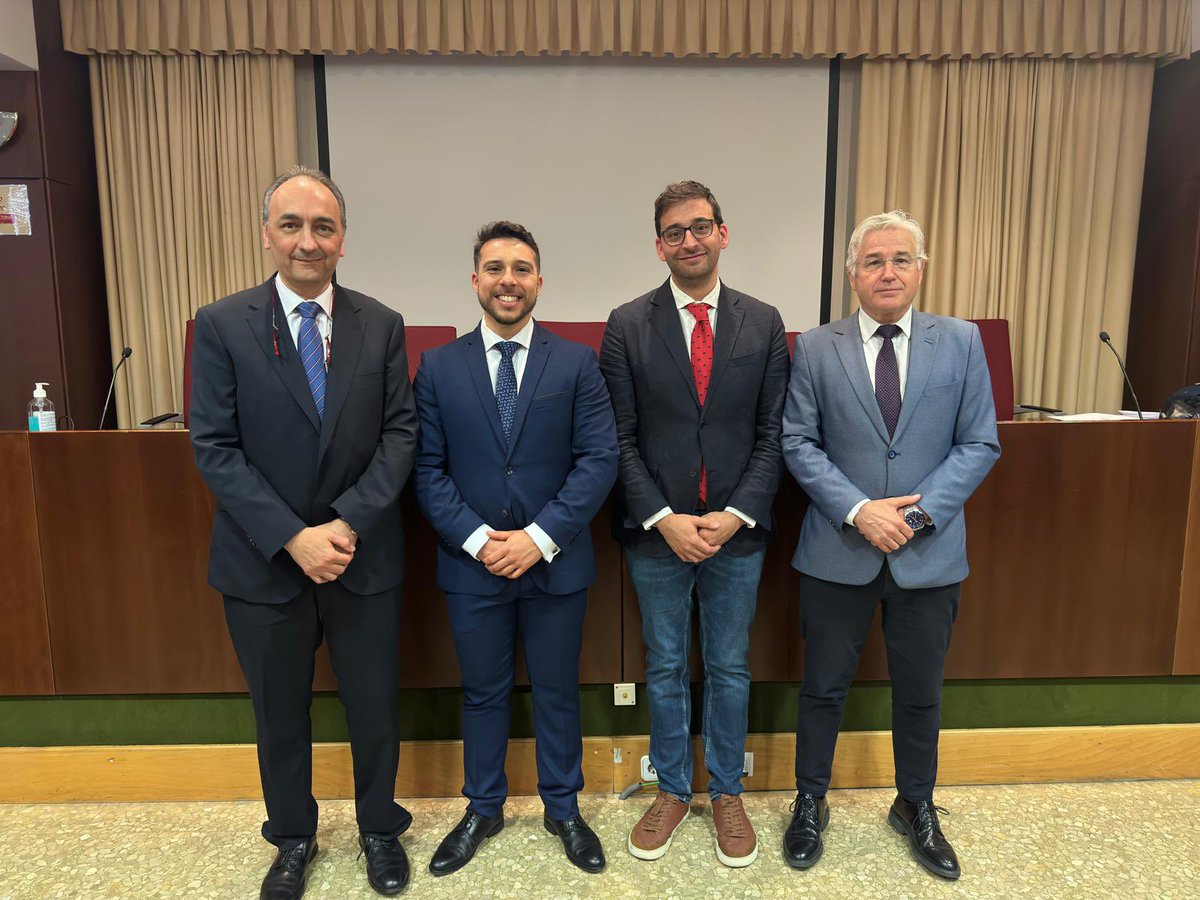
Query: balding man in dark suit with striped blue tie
[{"x": 304, "y": 428}]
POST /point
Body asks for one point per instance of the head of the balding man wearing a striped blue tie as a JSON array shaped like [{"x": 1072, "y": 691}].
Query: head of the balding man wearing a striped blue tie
[{"x": 304, "y": 233}]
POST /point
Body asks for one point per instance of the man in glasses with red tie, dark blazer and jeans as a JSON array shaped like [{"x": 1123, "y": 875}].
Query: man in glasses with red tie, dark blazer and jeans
[{"x": 697, "y": 373}]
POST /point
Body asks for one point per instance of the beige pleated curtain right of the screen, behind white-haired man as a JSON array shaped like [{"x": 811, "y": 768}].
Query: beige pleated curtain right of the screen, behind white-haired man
[{"x": 1027, "y": 177}]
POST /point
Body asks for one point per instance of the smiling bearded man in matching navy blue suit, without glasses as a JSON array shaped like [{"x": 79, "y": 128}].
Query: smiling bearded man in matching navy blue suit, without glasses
[{"x": 518, "y": 452}]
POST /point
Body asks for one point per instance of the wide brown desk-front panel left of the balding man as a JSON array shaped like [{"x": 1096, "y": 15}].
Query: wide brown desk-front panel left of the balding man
[{"x": 124, "y": 524}]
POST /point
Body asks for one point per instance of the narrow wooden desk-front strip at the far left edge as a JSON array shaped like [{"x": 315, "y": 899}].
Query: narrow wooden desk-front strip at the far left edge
[{"x": 26, "y": 647}]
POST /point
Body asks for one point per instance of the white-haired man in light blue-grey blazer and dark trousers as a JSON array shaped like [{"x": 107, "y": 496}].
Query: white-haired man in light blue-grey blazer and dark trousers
[{"x": 889, "y": 427}]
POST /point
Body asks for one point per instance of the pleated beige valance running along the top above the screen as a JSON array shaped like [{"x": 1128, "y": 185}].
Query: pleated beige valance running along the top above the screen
[{"x": 899, "y": 29}]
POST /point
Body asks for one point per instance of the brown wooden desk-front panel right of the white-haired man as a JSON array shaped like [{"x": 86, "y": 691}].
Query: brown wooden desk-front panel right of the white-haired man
[{"x": 1076, "y": 549}]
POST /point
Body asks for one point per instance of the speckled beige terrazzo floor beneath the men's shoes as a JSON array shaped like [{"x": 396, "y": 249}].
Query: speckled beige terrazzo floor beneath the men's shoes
[{"x": 1048, "y": 842}]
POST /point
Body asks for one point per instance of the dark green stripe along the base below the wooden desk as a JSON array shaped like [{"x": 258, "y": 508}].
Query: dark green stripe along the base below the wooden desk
[{"x": 434, "y": 715}]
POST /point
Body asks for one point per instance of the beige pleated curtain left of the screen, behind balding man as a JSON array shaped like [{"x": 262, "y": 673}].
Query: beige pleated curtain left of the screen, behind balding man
[{"x": 184, "y": 148}]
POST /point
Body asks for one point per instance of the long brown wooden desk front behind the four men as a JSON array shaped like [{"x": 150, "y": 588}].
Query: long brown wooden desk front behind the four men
[{"x": 1084, "y": 549}]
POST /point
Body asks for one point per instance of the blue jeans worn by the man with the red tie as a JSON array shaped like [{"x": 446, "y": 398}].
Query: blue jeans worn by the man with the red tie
[{"x": 728, "y": 589}]
